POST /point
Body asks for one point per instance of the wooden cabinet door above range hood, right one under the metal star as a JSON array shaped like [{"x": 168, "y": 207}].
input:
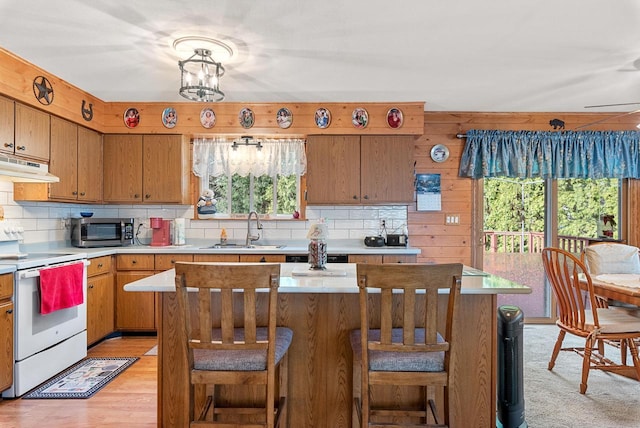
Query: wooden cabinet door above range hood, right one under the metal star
[{"x": 31, "y": 133}]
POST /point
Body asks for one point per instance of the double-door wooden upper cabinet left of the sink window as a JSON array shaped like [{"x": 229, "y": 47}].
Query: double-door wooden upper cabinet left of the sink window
[{"x": 146, "y": 169}]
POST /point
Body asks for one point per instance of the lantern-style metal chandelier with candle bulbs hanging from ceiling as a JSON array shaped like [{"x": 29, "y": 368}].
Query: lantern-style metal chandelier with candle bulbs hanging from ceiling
[{"x": 200, "y": 77}]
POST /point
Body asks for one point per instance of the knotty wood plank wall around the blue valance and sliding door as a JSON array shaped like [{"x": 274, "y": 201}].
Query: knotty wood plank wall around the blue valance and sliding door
[{"x": 446, "y": 243}]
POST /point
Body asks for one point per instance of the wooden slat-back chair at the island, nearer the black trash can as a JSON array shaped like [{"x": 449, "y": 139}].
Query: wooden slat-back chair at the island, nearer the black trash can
[{"x": 399, "y": 344}]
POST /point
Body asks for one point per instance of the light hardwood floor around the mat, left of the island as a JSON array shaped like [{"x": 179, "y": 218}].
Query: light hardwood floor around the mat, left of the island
[{"x": 129, "y": 400}]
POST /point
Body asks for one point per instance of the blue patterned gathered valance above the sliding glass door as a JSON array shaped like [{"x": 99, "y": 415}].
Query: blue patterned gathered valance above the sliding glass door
[{"x": 548, "y": 154}]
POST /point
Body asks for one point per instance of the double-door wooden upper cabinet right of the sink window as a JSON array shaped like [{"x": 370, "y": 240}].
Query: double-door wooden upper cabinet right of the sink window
[{"x": 347, "y": 170}]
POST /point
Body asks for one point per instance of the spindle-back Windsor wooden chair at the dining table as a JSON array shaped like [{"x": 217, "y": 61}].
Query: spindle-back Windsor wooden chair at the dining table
[{"x": 585, "y": 318}]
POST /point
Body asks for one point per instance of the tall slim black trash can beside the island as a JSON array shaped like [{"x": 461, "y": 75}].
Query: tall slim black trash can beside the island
[{"x": 510, "y": 368}]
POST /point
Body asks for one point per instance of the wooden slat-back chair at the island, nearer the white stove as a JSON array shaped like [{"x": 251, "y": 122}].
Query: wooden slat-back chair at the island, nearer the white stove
[{"x": 227, "y": 312}]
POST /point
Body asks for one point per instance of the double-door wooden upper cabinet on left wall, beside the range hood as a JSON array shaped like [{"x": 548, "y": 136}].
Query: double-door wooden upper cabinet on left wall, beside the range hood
[{"x": 76, "y": 159}]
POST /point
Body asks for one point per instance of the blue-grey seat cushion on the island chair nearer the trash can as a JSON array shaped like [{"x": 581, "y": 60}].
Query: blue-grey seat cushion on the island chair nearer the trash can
[{"x": 385, "y": 361}]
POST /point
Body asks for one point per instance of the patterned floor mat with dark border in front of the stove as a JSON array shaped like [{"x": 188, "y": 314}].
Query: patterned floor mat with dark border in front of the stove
[{"x": 83, "y": 379}]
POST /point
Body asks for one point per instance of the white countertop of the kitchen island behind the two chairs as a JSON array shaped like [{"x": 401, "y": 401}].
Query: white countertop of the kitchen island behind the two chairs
[{"x": 473, "y": 281}]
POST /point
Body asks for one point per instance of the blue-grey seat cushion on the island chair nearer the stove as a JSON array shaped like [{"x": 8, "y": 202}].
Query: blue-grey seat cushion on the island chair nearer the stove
[{"x": 214, "y": 360}]
